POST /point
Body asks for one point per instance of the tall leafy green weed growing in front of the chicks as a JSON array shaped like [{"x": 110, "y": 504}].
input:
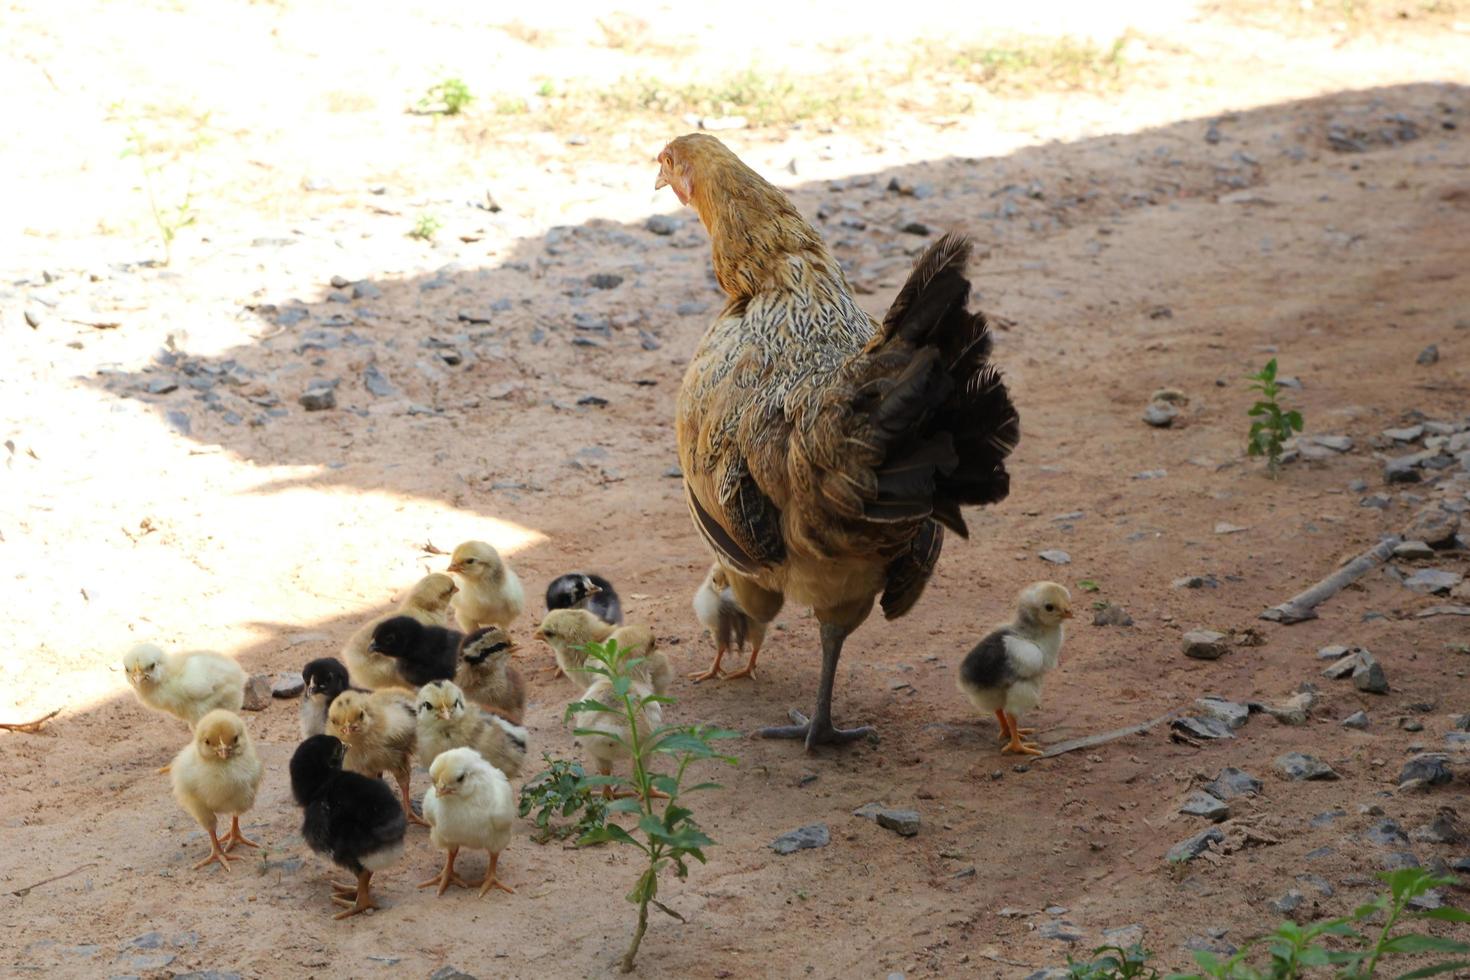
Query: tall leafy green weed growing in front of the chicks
[{"x": 667, "y": 838}]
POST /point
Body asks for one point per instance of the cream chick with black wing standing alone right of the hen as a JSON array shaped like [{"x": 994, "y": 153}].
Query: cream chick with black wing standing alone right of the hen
[{"x": 1003, "y": 674}]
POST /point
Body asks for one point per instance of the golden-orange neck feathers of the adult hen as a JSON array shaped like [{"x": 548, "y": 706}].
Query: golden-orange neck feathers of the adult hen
[{"x": 755, "y": 230}]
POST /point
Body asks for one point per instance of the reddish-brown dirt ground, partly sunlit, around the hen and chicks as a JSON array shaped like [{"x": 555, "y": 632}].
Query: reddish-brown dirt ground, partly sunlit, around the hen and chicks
[{"x": 1253, "y": 183}]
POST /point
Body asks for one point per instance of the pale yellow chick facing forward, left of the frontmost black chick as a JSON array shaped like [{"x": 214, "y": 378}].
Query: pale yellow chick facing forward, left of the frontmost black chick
[{"x": 218, "y": 774}]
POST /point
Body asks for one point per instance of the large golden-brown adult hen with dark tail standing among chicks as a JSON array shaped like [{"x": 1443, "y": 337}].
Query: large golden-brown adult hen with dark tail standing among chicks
[{"x": 824, "y": 453}]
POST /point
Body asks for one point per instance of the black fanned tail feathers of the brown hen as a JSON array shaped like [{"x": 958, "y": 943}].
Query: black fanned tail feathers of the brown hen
[{"x": 939, "y": 412}]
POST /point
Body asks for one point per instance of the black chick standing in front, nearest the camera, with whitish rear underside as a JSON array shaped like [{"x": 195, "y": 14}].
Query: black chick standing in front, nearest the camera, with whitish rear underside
[{"x": 352, "y": 819}]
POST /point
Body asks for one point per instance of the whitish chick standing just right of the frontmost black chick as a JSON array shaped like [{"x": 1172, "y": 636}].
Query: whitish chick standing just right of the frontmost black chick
[{"x": 470, "y": 806}]
